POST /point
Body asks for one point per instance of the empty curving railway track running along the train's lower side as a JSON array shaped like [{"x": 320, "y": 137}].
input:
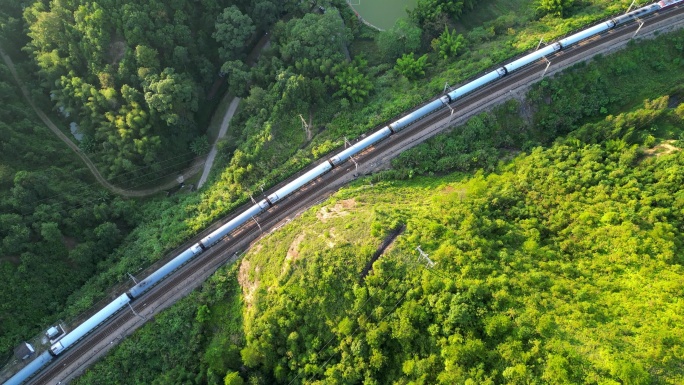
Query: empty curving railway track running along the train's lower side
[{"x": 74, "y": 361}]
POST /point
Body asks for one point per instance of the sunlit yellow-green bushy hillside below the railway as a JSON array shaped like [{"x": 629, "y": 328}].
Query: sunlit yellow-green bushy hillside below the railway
[{"x": 563, "y": 266}]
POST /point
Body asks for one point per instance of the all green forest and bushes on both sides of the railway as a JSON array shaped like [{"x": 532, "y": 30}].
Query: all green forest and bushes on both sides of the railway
[{"x": 555, "y": 220}]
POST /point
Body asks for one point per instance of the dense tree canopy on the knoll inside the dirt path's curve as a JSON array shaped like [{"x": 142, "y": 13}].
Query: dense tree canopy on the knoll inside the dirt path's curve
[{"x": 133, "y": 75}]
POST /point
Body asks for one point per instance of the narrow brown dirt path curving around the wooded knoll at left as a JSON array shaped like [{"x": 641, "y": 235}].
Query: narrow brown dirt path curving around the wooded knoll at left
[{"x": 190, "y": 171}]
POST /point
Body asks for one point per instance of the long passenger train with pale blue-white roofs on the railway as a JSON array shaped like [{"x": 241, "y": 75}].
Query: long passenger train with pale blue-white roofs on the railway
[{"x": 444, "y": 101}]
